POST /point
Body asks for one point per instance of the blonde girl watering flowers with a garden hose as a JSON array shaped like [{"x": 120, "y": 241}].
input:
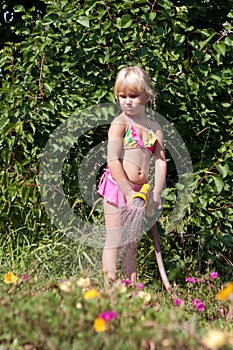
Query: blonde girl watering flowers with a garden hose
[{"x": 133, "y": 137}]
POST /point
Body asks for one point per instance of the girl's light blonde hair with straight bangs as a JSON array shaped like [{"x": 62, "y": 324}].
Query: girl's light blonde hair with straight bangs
[{"x": 134, "y": 79}]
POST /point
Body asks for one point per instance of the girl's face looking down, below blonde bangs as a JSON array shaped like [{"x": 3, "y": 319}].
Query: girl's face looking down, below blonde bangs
[{"x": 133, "y": 104}]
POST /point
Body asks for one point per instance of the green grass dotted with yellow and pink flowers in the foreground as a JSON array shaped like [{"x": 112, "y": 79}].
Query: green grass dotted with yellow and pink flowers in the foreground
[{"x": 72, "y": 310}]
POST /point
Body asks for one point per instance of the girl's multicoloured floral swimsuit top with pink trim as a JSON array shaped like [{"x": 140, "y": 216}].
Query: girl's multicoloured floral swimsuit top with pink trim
[{"x": 133, "y": 140}]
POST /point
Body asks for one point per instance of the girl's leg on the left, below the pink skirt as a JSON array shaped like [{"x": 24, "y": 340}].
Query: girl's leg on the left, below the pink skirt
[{"x": 112, "y": 217}]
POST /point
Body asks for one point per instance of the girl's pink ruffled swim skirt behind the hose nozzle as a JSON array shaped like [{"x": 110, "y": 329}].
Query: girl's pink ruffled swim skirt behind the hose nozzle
[{"x": 110, "y": 191}]
